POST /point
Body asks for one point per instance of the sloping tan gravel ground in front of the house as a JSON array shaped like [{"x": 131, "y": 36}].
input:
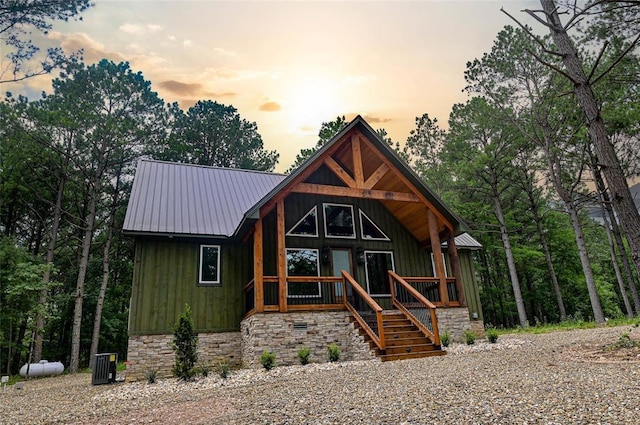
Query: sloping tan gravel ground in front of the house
[{"x": 556, "y": 378}]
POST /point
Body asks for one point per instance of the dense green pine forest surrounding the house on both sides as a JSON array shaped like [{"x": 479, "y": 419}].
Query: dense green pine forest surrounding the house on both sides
[{"x": 536, "y": 162}]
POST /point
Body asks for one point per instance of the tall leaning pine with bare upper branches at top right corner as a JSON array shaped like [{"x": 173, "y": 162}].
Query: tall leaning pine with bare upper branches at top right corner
[{"x": 623, "y": 16}]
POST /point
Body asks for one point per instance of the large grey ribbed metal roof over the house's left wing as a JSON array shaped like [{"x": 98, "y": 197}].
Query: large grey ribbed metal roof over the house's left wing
[{"x": 186, "y": 199}]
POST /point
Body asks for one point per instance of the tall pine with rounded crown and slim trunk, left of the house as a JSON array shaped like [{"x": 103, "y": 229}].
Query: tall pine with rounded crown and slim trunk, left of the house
[{"x": 116, "y": 114}]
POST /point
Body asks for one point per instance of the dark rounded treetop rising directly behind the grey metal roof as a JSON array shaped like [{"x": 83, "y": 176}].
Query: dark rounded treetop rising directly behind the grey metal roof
[{"x": 210, "y": 133}]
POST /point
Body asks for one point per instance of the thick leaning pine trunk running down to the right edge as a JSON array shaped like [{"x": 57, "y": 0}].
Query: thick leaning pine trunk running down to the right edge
[{"x": 621, "y": 196}]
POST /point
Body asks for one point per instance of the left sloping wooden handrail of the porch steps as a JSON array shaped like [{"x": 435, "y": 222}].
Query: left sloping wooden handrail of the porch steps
[{"x": 364, "y": 309}]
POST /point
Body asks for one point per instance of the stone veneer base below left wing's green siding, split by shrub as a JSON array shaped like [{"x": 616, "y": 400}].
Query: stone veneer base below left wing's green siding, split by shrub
[{"x": 154, "y": 352}]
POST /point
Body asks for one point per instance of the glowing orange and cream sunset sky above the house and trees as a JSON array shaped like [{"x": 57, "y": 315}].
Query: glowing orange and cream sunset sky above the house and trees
[{"x": 289, "y": 66}]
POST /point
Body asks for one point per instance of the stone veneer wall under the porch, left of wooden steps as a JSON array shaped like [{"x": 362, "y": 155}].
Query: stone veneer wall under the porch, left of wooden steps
[{"x": 276, "y": 332}]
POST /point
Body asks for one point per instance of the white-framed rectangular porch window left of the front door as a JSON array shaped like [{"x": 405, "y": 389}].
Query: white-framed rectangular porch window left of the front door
[{"x": 303, "y": 262}]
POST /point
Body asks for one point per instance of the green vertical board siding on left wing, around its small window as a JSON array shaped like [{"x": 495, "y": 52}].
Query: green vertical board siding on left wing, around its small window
[{"x": 166, "y": 278}]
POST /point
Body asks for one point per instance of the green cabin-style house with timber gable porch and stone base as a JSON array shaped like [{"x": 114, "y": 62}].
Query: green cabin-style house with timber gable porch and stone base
[{"x": 351, "y": 248}]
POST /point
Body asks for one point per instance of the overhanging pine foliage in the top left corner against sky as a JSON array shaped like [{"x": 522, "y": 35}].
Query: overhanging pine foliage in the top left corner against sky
[{"x": 19, "y": 19}]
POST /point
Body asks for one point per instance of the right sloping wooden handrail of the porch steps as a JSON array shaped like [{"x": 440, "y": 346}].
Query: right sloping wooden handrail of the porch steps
[{"x": 416, "y": 306}]
